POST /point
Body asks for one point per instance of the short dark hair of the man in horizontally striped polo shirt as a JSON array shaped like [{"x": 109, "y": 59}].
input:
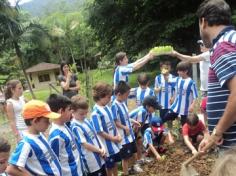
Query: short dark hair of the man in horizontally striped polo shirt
[{"x": 215, "y": 12}]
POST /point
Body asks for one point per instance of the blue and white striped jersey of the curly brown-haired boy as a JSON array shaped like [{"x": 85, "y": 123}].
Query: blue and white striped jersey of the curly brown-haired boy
[{"x": 103, "y": 121}]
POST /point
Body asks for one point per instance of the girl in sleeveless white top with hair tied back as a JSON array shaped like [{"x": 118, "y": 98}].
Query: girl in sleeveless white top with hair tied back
[{"x": 15, "y": 102}]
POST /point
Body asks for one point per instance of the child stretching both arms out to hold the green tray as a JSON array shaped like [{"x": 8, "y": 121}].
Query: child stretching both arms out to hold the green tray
[{"x": 123, "y": 69}]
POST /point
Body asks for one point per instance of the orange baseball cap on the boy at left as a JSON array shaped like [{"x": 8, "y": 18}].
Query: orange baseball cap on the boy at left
[{"x": 37, "y": 108}]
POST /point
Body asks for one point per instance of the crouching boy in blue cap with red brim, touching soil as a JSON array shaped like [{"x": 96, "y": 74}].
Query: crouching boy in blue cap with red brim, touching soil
[{"x": 155, "y": 136}]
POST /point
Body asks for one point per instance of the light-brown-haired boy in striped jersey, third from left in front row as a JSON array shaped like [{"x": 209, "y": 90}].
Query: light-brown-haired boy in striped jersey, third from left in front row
[{"x": 91, "y": 147}]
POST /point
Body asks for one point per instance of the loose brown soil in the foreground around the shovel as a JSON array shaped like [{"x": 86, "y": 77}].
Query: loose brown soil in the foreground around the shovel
[{"x": 175, "y": 156}]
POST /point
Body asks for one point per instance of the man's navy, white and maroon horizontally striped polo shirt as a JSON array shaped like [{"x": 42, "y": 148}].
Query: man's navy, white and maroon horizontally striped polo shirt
[{"x": 223, "y": 61}]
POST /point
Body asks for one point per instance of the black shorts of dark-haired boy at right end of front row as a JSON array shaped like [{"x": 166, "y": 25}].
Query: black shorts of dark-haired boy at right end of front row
[{"x": 128, "y": 150}]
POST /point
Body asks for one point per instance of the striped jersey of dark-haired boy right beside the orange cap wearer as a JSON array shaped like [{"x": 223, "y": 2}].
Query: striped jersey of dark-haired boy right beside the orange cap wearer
[{"x": 64, "y": 145}]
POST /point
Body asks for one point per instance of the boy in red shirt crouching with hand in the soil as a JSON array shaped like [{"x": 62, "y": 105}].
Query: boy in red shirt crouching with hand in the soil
[{"x": 193, "y": 132}]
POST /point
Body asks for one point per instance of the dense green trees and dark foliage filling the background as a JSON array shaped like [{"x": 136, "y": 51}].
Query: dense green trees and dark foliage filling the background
[{"x": 90, "y": 32}]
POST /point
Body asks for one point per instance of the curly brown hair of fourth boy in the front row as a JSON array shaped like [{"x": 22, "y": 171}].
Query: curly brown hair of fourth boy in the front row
[{"x": 101, "y": 90}]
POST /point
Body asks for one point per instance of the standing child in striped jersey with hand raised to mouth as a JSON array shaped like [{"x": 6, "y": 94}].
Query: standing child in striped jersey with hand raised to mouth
[{"x": 164, "y": 88}]
